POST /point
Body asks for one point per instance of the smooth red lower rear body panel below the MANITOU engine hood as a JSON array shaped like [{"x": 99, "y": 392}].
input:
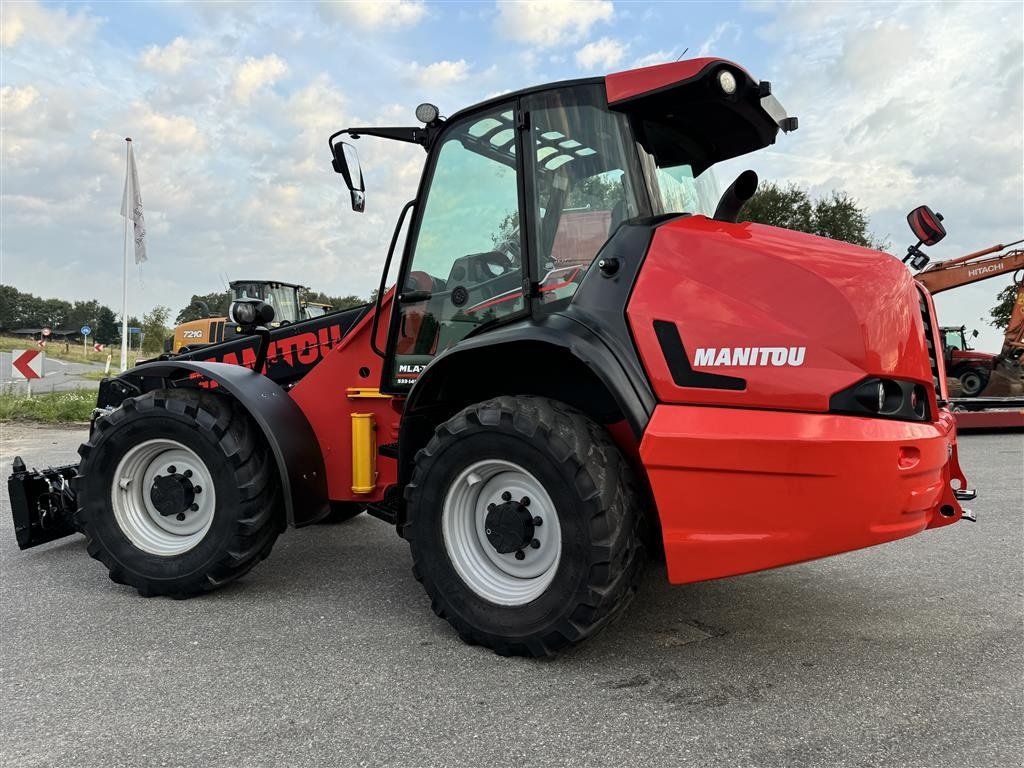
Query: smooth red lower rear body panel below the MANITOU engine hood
[{"x": 740, "y": 491}]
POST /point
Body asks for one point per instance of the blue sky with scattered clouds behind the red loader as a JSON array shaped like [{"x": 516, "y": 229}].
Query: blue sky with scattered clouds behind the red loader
[{"x": 230, "y": 106}]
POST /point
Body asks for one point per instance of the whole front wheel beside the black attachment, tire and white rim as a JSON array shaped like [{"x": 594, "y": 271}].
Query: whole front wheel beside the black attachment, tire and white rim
[{"x": 178, "y": 493}]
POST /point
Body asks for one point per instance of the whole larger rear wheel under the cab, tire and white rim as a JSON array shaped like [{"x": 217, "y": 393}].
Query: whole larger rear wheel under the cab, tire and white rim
[{"x": 525, "y": 525}]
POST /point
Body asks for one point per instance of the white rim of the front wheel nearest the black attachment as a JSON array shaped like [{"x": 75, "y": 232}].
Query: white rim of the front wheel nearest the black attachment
[{"x": 135, "y": 511}]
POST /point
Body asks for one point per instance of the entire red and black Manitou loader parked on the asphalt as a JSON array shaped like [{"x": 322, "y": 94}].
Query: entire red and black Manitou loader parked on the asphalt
[{"x": 585, "y": 355}]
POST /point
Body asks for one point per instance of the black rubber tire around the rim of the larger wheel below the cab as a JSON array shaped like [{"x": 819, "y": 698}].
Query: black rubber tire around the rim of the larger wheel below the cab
[{"x": 598, "y": 504}]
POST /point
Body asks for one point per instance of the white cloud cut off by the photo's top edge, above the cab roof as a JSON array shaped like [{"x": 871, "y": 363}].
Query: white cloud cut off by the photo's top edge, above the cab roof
[{"x": 550, "y": 23}]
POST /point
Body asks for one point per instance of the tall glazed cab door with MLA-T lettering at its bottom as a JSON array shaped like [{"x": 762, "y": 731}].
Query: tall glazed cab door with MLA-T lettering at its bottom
[{"x": 464, "y": 265}]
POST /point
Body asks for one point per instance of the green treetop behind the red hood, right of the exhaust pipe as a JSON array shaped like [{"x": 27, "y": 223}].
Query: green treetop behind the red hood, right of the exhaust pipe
[{"x": 791, "y": 207}]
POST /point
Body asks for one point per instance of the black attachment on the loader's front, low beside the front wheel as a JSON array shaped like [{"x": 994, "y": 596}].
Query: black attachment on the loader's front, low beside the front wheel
[{"x": 42, "y": 503}]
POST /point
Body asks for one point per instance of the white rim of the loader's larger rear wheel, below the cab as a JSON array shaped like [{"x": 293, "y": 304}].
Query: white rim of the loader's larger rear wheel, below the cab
[{"x": 501, "y": 579}]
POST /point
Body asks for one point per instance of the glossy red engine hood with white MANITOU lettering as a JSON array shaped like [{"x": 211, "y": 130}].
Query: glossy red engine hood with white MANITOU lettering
[{"x": 839, "y": 312}]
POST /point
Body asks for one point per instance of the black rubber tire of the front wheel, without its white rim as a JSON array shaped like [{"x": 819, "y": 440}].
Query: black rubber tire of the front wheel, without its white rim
[{"x": 247, "y": 518}]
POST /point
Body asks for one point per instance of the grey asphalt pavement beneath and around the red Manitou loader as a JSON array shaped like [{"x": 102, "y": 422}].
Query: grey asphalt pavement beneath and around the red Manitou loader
[{"x": 328, "y": 655}]
